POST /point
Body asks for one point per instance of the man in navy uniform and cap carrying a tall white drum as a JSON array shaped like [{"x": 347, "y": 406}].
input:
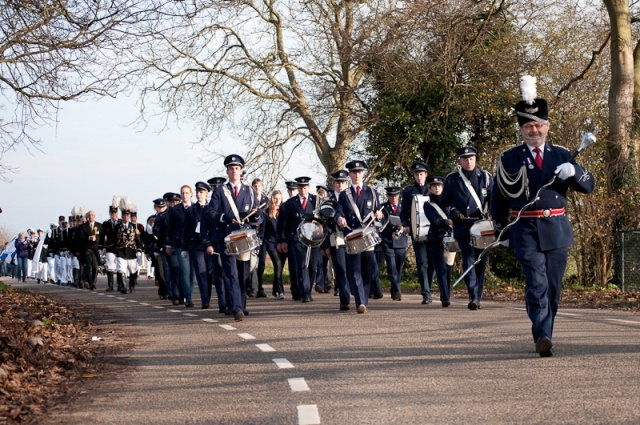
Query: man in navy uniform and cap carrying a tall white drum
[{"x": 423, "y": 261}]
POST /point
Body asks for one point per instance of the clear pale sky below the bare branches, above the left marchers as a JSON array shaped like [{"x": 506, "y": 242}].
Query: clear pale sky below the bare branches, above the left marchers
[{"x": 92, "y": 155}]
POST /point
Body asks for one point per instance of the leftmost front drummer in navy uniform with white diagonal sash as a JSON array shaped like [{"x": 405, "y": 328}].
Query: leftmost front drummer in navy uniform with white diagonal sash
[{"x": 233, "y": 205}]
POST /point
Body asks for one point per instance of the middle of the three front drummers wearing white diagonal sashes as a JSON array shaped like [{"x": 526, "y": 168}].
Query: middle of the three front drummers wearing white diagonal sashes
[{"x": 357, "y": 206}]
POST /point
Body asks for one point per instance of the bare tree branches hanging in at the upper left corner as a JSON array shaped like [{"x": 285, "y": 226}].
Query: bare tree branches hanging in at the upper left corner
[{"x": 53, "y": 51}]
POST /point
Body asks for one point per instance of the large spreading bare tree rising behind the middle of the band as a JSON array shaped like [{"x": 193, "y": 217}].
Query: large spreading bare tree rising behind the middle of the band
[{"x": 291, "y": 70}]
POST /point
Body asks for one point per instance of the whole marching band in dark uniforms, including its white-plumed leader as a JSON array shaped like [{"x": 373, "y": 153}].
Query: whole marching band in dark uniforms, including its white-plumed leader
[{"x": 222, "y": 240}]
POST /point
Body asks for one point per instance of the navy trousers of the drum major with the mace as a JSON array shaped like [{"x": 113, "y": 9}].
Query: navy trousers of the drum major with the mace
[{"x": 543, "y": 273}]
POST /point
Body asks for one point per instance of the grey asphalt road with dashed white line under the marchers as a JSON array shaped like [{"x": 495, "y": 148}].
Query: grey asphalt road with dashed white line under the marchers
[{"x": 400, "y": 362}]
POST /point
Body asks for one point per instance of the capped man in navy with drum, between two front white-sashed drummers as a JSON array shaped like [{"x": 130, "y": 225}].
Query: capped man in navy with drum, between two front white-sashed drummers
[{"x": 295, "y": 211}]
